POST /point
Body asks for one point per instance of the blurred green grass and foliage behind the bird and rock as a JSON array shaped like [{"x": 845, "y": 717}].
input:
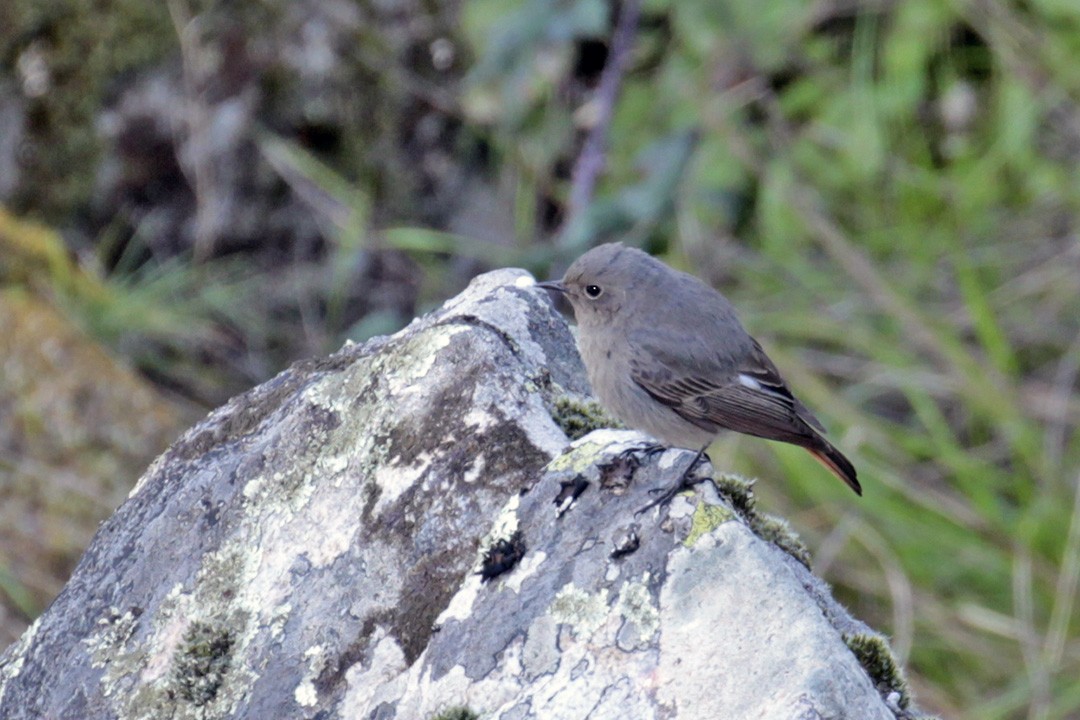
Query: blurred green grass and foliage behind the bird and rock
[{"x": 887, "y": 191}]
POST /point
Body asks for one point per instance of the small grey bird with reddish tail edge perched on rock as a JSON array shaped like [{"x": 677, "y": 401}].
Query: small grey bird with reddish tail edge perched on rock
[{"x": 667, "y": 355}]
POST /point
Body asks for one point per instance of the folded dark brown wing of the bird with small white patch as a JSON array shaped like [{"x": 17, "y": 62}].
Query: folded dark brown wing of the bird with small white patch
[{"x": 746, "y": 395}]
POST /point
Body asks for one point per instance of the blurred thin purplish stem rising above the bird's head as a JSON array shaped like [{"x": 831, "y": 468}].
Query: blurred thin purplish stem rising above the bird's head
[{"x": 591, "y": 161}]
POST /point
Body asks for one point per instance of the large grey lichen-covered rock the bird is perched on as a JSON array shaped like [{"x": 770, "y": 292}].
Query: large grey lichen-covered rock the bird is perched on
[{"x": 403, "y": 531}]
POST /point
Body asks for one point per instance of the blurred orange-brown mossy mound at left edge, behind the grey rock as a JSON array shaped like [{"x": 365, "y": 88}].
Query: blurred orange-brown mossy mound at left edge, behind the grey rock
[{"x": 77, "y": 425}]
